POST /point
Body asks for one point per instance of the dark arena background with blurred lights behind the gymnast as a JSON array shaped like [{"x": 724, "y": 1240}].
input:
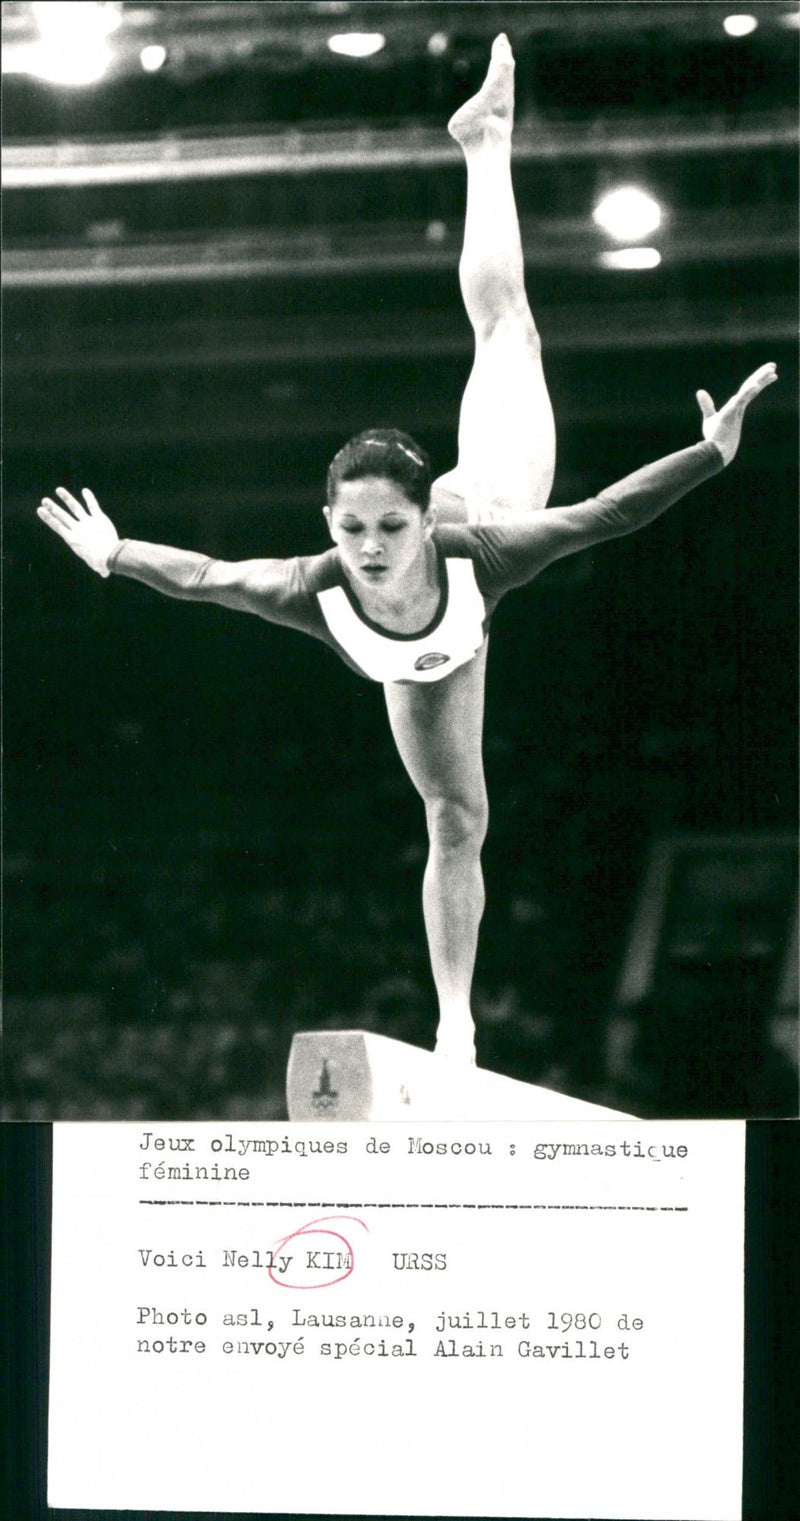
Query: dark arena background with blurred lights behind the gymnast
[{"x": 229, "y": 246}]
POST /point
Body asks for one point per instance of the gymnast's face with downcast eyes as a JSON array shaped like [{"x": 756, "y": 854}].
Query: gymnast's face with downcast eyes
[{"x": 381, "y": 535}]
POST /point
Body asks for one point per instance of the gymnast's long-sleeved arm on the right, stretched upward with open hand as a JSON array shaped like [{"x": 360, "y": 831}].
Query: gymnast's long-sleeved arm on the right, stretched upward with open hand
[{"x": 638, "y": 500}]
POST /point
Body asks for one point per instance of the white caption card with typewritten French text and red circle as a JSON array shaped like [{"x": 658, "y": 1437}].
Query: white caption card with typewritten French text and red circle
[{"x": 454, "y": 1321}]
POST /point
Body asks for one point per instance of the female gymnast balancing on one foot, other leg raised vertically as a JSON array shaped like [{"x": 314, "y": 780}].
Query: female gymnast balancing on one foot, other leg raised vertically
[{"x": 407, "y": 594}]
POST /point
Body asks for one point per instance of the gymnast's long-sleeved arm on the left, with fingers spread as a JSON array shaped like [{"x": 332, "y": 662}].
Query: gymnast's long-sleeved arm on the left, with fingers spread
[{"x": 247, "y": 586}]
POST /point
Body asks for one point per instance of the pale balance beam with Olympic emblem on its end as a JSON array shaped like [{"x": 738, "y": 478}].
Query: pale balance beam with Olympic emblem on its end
[{"x": 354, "y": 1075}]
